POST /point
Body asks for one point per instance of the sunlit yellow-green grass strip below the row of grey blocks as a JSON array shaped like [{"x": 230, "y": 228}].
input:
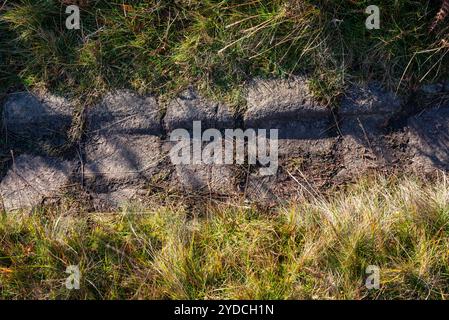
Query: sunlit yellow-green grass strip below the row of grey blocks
[{"x": 318, "y": 248}]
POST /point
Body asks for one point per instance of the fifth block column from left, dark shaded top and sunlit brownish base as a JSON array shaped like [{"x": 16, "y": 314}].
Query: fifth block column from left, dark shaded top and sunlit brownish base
[{"x": 365, "y": 113}]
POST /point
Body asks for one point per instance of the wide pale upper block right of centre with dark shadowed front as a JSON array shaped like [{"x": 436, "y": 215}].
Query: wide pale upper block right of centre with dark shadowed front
[{"x": 286, "y": 105}]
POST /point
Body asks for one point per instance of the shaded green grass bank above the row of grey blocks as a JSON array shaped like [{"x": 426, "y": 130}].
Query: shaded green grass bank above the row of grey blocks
[{"x": 162, "y": 46}]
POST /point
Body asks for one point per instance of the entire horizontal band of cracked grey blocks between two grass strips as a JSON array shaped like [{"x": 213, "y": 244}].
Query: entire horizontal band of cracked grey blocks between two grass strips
[{"x": 124, "y": 151}]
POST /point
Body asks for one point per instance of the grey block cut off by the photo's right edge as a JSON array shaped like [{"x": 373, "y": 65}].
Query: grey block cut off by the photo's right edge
[{"x": 429, "y": 140}]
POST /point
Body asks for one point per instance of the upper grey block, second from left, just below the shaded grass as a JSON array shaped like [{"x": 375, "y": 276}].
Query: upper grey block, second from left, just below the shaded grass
[{"x": 125, "y": 112}]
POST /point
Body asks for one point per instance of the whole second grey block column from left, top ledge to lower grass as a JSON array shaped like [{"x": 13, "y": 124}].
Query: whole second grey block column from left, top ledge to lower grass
[{"x": 123, "y": 148}]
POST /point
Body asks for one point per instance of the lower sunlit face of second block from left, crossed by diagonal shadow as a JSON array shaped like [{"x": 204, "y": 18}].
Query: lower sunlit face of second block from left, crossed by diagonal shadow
[{"x": 123, "y": 159}]
